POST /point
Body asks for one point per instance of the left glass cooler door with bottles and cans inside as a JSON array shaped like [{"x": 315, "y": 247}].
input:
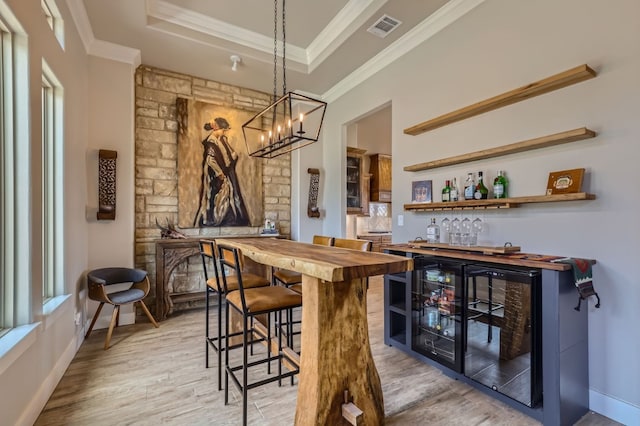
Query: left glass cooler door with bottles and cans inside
[{"x": 437, "y": 311}]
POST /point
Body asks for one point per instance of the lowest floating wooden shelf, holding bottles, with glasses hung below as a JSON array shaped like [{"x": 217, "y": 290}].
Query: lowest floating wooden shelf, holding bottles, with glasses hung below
[{"x": 497, "y": 203}]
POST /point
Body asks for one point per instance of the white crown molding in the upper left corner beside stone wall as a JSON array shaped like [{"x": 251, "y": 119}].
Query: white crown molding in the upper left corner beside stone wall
[{"x": 100, "y": 48}]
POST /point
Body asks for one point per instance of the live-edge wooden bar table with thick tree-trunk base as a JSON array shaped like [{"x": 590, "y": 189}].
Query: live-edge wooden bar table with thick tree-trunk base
[{"x": 335, "y": 350}]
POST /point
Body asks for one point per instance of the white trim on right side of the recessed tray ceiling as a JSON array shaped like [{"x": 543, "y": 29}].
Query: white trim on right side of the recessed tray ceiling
[{"x": 342, "y": 26}]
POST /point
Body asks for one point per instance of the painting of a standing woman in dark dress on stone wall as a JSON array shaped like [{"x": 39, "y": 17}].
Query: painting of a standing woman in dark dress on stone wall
[{"x": 218, "y": 183}]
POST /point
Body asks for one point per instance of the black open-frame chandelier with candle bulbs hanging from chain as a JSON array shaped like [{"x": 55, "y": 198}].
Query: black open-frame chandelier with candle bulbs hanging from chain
[{"x": 292, "y": 120}]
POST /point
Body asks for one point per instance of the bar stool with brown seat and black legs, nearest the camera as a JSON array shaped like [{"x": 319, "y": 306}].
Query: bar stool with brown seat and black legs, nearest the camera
[{"x": 250, "y": 303}]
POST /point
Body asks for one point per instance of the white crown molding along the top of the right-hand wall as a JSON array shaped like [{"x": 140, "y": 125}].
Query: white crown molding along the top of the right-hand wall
[{"x": 439, "y": 20}]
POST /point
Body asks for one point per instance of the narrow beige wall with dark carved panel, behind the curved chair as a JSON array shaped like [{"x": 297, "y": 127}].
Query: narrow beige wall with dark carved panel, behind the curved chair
[{"x": 111, "y": 127}]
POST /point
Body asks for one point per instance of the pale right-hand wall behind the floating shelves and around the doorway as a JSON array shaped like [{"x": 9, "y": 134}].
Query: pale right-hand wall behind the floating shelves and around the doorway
[{"x": 501, "y": 45}]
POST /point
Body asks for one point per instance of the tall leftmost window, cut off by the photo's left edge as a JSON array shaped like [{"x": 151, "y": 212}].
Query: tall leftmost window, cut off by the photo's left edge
[{"x": 15, "y": 267}]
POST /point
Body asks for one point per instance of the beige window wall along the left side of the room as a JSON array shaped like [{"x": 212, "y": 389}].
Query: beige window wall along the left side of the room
[{"x": 32, "y": 369}]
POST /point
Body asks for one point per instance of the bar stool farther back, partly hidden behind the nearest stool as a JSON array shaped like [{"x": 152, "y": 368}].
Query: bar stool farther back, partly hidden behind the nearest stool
[{"x": 214, "y": 285}]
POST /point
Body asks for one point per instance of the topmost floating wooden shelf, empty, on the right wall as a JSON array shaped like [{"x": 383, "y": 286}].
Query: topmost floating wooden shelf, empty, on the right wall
[{"x": 557, "y": 81}]
